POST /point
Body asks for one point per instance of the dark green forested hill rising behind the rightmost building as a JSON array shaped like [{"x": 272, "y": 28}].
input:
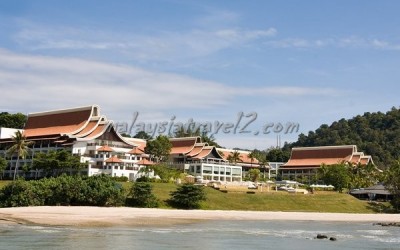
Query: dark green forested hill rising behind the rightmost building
[{"x": 376, "y": 134}]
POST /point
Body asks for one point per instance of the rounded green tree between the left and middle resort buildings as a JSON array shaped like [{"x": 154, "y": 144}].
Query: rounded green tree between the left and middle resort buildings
[{"x": 159, "y": 148}]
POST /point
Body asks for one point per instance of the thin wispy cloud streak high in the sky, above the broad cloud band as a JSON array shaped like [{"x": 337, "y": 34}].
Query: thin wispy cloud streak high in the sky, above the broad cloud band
[{"x": 163, "y": 46}]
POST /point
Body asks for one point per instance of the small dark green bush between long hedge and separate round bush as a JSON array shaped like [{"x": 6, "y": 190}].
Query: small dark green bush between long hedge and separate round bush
[{"x": 142, "y": 195}]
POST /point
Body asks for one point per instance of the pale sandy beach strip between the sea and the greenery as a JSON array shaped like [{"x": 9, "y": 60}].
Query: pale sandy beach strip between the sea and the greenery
[{"x": 124, "y": 216}]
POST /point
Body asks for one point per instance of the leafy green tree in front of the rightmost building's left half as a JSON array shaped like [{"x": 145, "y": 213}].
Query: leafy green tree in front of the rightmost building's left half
[{"x": 336, "y": 175}]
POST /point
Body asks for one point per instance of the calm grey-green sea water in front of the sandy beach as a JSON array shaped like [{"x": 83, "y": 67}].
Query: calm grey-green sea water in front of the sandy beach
[{"x": 204, "y": 235}]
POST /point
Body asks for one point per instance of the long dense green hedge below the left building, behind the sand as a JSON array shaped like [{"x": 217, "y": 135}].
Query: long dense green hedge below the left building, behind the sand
[{"x": 64, "y": 190}]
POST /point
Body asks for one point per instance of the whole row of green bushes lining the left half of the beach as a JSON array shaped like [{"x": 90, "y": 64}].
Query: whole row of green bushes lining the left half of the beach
[{"x": 100, "y": 190}]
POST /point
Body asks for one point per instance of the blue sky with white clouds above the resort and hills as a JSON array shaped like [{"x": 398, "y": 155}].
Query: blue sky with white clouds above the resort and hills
[{"x": 251, "y": 70}]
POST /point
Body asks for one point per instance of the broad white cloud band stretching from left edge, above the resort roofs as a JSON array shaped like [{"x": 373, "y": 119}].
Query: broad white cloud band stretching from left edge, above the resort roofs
[{"x": 35, "y": 83}]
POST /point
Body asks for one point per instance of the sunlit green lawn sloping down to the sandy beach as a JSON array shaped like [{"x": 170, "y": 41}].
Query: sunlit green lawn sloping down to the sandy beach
[{"x": 266, "y": 201}]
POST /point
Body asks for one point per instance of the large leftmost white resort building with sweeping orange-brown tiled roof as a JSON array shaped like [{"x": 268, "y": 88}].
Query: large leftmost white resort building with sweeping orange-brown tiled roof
[{"x": 85, "y": 132}]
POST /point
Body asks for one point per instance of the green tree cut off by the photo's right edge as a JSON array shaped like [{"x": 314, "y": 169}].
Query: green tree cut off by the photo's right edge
[{"x": 392, "y": 183}]
